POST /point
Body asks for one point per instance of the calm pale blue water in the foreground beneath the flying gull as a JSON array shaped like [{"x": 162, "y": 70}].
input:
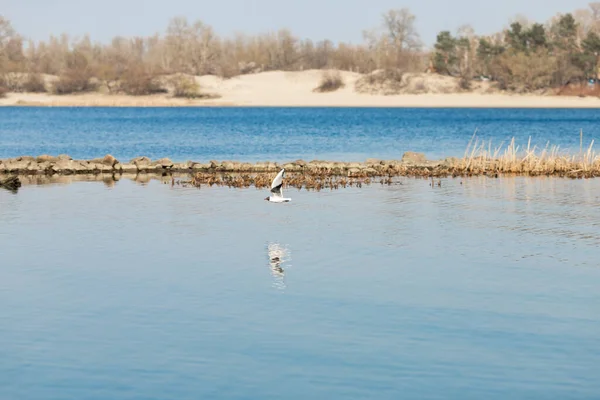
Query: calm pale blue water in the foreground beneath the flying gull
[{"x": 485, "y": 289}]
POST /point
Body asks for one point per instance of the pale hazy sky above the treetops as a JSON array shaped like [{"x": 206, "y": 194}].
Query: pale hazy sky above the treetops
[{"x": 339, "y": 20}]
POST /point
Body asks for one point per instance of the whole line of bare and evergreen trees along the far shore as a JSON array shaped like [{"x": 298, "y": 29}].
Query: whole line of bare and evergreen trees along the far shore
[{"x": 525, "y": 56}]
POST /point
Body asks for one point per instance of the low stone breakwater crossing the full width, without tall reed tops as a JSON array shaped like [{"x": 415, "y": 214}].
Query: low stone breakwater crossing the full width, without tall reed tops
[{"x": 411, "y": 164}]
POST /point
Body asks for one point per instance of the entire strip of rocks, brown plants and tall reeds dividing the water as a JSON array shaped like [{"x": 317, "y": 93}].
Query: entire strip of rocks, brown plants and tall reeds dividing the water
[{"x": 479, "y": 159}]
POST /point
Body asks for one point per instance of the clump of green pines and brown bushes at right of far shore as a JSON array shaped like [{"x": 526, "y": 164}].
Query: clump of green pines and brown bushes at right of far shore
[{"x": 527, "y": 56}]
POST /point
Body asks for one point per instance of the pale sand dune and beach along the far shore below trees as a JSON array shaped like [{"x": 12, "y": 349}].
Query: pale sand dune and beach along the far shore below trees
[{"x": 280, "y": 88}]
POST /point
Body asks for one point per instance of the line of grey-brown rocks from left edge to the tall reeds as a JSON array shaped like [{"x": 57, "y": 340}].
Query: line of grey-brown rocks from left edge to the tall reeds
[{"x": 66, "y": 165}]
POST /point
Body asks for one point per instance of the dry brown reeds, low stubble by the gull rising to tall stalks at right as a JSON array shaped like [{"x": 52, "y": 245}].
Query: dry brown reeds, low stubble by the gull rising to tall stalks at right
[{"x": 479, "y": 159}]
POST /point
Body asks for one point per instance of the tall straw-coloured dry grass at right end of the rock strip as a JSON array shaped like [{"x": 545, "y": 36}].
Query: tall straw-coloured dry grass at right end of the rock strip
[{"x": 480, "y": 158}]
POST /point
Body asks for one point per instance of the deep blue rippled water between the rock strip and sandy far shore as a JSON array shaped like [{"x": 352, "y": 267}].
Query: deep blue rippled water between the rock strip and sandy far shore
[{"x": 282, "y": 134}]
